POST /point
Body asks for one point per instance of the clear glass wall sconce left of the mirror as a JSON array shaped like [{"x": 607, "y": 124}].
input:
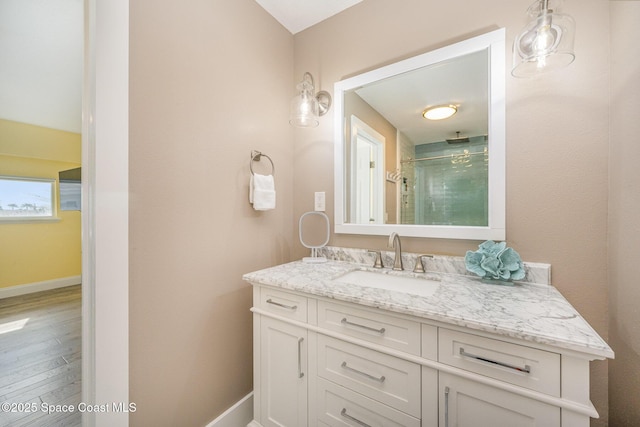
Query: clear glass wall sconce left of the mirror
[{"x": 307, "y": 107}]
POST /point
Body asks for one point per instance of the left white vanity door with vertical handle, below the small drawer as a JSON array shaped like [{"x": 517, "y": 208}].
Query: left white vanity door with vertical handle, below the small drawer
[{"x": 283, "y": 360}]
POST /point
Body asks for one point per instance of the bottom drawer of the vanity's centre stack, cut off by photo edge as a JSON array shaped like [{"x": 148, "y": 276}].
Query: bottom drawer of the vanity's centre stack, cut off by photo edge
[{"x": 338, "y": 406}]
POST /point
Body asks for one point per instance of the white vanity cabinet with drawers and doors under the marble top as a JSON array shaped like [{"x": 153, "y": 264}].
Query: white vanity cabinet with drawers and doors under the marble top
[{"x": 323, "y": 362}]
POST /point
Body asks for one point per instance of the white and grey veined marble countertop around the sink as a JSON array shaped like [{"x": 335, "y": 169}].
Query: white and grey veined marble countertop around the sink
[{"x": 531, "y": 312}]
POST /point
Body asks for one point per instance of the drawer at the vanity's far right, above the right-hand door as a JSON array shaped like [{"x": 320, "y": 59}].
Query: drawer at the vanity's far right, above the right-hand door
[{"x": 520, "y": 365}]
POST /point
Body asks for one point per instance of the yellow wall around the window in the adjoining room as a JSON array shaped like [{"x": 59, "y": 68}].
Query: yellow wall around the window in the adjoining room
[{"x": 33, "y": 252}]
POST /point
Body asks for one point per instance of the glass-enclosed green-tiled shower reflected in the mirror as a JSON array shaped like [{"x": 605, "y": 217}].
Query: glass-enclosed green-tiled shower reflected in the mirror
[{"x": 445, "y": 183}]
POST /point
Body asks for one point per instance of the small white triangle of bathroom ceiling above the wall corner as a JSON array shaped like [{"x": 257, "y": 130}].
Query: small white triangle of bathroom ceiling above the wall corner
[{"x": 297, "y": 15}]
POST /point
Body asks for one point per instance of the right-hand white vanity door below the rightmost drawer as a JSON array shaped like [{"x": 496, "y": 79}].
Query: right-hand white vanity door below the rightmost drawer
[{"x": 465, "y": 403}]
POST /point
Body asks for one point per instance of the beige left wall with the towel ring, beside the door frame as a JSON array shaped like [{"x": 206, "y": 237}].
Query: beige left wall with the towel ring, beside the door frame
[{"x": 209, "y": 82}]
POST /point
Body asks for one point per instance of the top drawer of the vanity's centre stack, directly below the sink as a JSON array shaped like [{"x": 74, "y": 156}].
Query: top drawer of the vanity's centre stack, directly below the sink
[{"x": 370, "y": 325}]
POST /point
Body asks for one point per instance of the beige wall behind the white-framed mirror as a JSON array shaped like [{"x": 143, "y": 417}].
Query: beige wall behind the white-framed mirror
[{"x": 557, "y": 136}]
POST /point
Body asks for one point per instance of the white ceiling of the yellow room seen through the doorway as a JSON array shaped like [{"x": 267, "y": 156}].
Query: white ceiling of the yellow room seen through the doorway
[{"x": 41, "y": 44}]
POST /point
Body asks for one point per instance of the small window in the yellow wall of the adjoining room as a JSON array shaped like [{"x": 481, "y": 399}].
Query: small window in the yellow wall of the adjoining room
[{"x": 26, "y": 198}]
